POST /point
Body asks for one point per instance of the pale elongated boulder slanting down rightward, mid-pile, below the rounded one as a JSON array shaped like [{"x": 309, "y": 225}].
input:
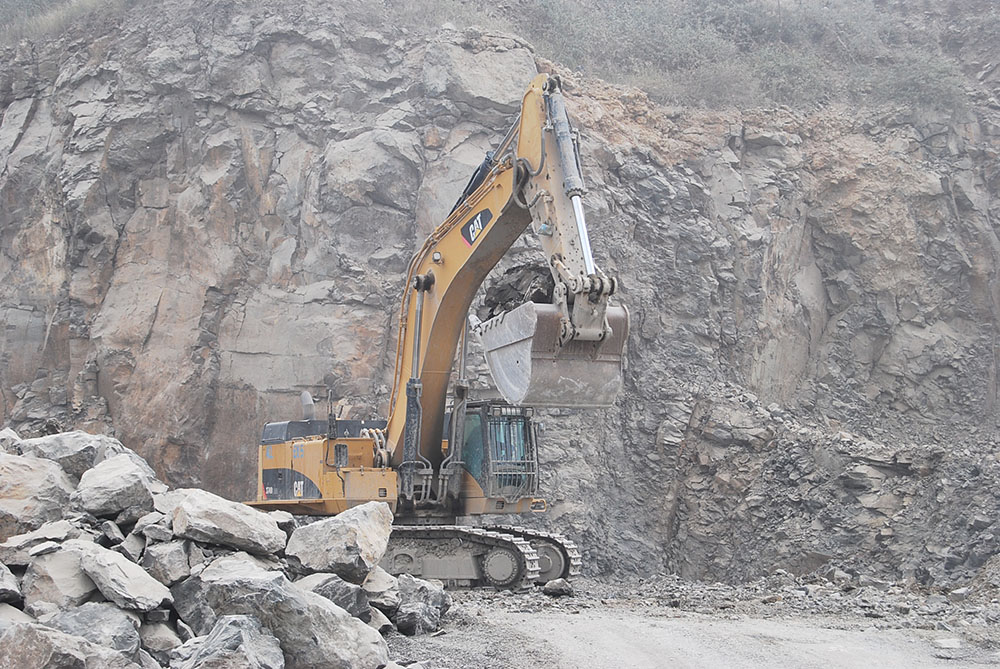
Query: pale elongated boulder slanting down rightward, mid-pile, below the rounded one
[{"x": 120, "y": 580}]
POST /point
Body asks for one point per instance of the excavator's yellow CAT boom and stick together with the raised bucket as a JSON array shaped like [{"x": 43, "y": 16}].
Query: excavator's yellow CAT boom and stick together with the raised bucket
[{"x": 550, "y": 353}]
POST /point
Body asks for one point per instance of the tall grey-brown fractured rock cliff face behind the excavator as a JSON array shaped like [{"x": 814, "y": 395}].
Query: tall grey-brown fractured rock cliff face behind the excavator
[{"x": 207, "y": 210}]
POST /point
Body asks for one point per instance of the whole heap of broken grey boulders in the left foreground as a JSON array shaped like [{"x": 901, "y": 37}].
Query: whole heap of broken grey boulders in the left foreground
[{"x": 102, "y": 565}]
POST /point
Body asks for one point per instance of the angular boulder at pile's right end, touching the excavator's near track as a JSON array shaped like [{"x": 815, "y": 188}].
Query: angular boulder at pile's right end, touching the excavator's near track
[{"x": 349, "y": 544}]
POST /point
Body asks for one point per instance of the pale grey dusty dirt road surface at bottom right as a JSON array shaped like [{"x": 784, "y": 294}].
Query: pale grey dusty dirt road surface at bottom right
[{"x": 495, "y": 634}]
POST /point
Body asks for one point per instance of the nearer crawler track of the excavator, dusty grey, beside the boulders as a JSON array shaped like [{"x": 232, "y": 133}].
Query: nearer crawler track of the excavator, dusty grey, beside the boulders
[{"x": 463, "y": 556}]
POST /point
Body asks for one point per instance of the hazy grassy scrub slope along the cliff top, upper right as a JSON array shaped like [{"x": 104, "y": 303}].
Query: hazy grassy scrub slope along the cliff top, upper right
[{"x": 718, "y": 53}]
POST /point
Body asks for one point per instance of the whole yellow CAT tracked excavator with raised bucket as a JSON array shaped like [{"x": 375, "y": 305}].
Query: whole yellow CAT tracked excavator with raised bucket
[{"x": 435, "y": 466}]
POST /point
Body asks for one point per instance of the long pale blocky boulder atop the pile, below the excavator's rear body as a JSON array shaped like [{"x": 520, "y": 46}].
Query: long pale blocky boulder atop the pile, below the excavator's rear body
[{"x": 211, "y": 519}]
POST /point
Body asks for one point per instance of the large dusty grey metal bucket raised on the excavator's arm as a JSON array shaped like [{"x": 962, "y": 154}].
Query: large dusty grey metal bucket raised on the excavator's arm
[{"x": 531, "y": 368}]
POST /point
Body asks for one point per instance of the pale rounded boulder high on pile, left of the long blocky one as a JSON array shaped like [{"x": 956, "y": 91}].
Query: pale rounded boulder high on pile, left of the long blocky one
[{"x": 114, "y": 485}]
